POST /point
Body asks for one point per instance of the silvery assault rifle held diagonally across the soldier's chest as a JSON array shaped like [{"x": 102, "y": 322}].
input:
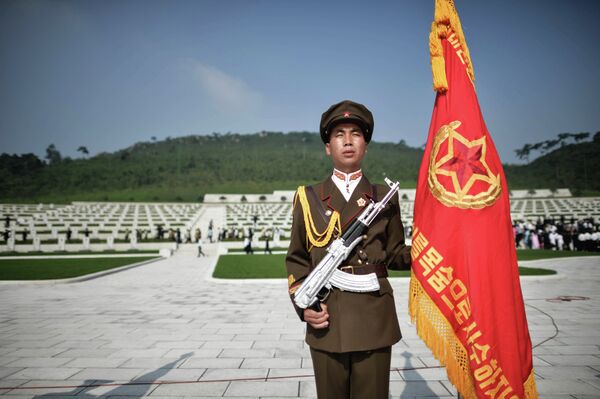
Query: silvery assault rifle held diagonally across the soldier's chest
[{"x": 326, "y": 274}]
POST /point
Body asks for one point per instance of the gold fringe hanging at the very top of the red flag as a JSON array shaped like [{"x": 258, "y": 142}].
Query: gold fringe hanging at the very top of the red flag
[{"x": 446, "y": 20}]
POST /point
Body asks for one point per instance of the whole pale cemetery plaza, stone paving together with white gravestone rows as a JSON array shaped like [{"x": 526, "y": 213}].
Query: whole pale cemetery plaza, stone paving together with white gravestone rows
[{"x": 168, "y": 329}]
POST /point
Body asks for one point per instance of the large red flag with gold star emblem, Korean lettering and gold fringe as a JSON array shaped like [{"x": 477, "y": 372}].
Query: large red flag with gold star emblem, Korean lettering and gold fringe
[{"x": 465, "y": 294}]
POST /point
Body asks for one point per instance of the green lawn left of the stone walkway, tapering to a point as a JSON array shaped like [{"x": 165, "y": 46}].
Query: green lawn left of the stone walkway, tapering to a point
[{"x": 46, "y": 269}]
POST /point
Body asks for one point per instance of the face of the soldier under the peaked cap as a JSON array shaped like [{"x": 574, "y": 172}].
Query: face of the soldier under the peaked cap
[{"x": 346, "y": 147}]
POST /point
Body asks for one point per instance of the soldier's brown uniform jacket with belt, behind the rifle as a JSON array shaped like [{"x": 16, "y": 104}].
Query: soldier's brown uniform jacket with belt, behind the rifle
[{"x": 357, "y": 321}]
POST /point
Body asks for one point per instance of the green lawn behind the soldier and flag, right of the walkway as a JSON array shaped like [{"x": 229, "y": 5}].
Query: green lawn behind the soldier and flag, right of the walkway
[{"x": 273, "y": 266}]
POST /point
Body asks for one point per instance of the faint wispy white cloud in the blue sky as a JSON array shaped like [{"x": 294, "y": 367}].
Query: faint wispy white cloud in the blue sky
[{"x": 225, "y": 91}]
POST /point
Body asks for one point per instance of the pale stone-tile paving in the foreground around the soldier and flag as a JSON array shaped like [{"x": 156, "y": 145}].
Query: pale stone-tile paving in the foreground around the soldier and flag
[{"x": 169, "y": 321}]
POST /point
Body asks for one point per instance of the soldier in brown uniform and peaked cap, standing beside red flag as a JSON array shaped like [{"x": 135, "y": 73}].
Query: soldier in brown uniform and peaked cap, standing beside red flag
[{"x": 350, "y": 339}]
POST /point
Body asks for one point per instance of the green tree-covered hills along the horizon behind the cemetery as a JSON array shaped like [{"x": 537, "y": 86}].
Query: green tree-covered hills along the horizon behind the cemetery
[{"x": 186, "y": 168}]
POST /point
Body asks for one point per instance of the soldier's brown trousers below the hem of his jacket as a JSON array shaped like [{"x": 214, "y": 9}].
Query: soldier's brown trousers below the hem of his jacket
[{"x": 352, "y": 375}]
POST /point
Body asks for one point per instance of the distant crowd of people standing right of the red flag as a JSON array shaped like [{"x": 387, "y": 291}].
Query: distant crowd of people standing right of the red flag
[{"x": 558, "y": 234}]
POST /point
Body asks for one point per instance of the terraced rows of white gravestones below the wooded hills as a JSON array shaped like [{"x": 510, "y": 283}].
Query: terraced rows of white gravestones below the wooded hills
[{"x": 99, "y": 226}]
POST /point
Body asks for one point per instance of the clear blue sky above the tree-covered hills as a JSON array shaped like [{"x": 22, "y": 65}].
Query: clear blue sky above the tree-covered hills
[{"x": 106, "y": 74}]
